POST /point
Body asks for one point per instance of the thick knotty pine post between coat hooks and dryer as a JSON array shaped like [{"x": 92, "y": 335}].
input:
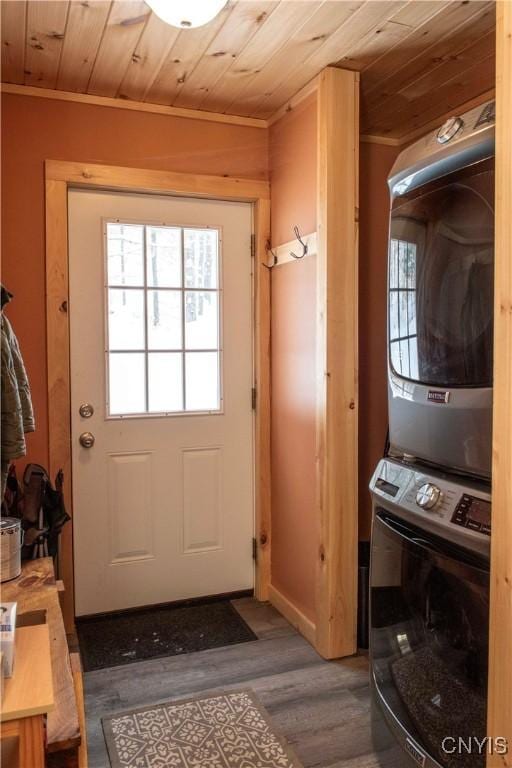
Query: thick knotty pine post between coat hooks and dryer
[{"x": 337, "y": 361}]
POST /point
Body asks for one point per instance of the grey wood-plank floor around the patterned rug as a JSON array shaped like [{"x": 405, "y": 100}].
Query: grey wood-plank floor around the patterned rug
[{"x": 323, "y": 708}]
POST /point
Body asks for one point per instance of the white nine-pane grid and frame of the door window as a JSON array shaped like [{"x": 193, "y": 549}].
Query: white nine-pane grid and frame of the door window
[{"x": 182, "y": 290}]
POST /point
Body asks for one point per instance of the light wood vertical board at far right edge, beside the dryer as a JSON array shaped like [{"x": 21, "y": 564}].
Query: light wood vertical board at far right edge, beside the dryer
[{"x": 500, "y": 645}]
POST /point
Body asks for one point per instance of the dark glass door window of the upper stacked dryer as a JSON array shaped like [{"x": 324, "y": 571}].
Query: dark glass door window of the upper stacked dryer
[{"x": 441, "y": 266}]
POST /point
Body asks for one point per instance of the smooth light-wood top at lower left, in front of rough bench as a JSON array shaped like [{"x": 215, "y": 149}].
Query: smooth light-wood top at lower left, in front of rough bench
[{"x": 29, "y": 691}]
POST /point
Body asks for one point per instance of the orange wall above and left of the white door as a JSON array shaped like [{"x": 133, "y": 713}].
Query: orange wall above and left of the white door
[{"x": 35, "y": 129}]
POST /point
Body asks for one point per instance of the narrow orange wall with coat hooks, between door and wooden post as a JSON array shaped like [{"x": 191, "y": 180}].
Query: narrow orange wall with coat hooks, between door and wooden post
[{"x": 294, "y": 520}]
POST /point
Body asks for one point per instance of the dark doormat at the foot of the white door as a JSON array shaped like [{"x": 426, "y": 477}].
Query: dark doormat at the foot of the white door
[{"x": 149, "y": 633}]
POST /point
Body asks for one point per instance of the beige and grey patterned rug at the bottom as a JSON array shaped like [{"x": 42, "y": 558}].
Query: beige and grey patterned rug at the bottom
[{"x": 229, "y": 730}]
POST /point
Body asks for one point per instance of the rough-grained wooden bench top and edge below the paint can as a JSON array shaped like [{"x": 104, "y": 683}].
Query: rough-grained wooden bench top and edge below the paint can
[{"x": 36, "y": 590}]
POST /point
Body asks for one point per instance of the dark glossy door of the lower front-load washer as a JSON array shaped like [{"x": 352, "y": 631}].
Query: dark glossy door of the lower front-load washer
[{"x": 429, "y": 640}]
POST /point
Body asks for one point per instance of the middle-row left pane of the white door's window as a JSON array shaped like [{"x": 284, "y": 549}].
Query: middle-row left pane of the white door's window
[{"x": 125, "y": 319}]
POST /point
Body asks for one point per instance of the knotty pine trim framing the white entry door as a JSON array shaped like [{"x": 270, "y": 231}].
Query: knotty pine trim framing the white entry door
[{"x": 59, "y": 176}]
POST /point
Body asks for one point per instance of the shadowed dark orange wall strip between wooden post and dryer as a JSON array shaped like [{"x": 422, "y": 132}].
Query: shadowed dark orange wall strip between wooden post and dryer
[{"x": 375, "y": 163}]
